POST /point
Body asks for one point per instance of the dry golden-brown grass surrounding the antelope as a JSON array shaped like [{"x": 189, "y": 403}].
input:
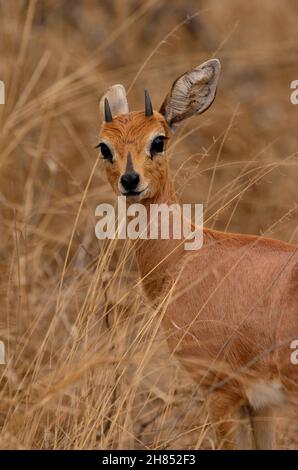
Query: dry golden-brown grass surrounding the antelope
[{"x": 88, "y": 366}]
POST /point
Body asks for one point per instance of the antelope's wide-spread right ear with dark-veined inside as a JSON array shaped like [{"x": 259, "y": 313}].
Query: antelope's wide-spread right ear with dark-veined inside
[{"x": 192, "y": 93}]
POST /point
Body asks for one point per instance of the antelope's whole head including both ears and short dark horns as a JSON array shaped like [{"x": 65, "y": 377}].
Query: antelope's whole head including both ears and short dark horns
[{"x": 133, "y": 144}]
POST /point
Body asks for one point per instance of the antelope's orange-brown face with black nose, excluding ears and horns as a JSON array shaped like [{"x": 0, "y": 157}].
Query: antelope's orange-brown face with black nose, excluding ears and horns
[{"x": 133, "y": 147}]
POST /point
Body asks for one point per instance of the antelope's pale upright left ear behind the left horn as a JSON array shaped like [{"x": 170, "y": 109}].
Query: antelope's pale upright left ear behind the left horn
[{"x": 117, "y": 102}]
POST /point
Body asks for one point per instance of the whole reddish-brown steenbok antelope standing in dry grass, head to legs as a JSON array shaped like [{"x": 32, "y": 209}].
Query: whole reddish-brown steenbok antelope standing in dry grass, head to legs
[{"x": 232, "y": 313}]
